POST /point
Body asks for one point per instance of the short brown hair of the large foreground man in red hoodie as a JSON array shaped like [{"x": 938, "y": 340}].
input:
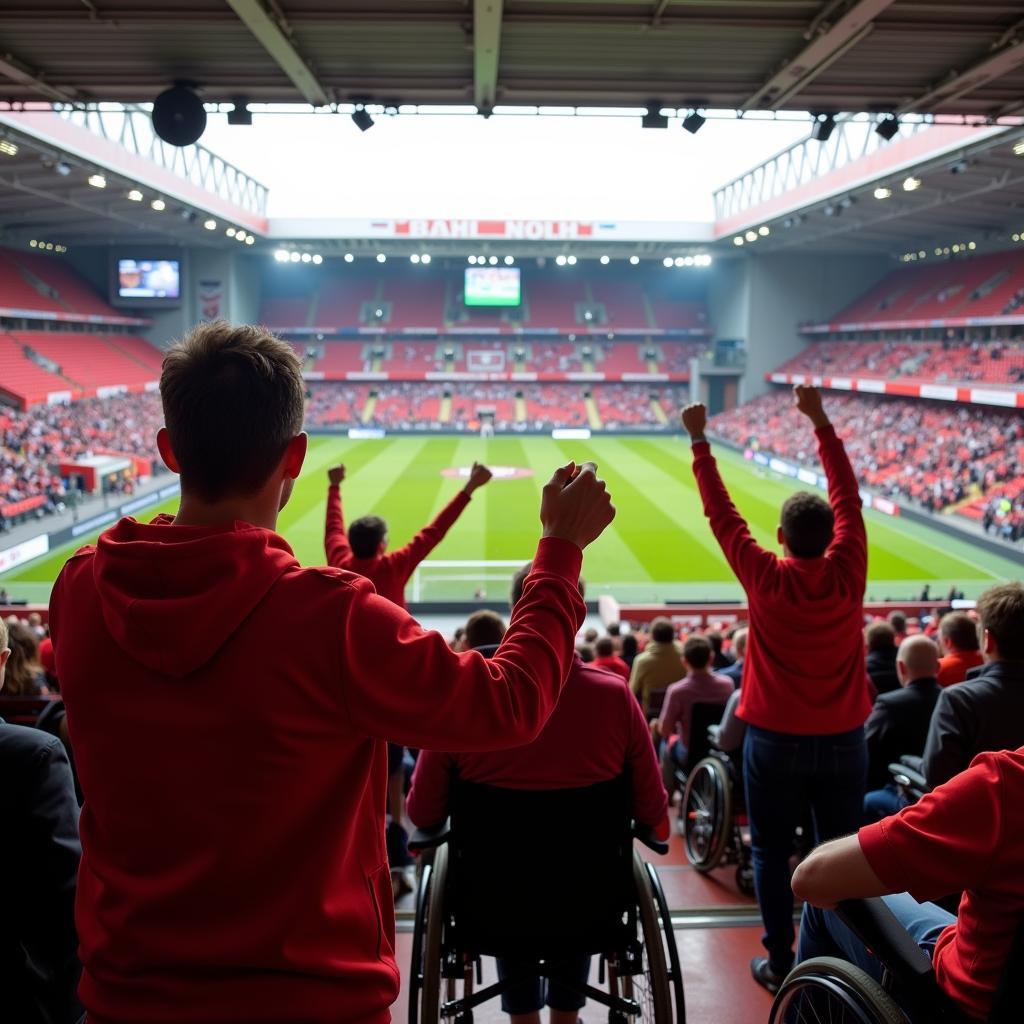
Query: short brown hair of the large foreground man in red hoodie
[{"x": 233, "y": 400}]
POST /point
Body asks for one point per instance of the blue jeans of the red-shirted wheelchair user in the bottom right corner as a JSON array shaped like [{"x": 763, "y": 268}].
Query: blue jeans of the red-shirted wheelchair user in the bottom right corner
[{"x": 823, "y": 934}]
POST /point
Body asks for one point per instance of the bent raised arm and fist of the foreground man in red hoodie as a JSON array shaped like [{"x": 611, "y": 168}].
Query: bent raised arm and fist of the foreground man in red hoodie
[{"x": 438, "y": 700}]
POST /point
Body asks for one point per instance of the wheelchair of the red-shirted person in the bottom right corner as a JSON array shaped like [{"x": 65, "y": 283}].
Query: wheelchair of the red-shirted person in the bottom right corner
[{"x": 826, "y": 989}]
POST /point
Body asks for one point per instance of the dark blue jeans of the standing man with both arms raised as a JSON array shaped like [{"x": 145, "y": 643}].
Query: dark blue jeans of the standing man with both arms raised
[{"x": 791, "y": 781}]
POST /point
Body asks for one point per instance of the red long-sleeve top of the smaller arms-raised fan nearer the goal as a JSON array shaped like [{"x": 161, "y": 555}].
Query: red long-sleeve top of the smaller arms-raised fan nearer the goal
[{"x": 389, "y": 573}]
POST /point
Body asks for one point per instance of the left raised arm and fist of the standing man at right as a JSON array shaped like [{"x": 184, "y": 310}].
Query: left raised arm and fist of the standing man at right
[{"x": 747, "y": 559}]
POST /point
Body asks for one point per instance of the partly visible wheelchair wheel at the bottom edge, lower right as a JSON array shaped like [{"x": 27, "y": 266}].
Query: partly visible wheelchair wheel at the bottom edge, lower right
[{"x": 829, "y": 990}]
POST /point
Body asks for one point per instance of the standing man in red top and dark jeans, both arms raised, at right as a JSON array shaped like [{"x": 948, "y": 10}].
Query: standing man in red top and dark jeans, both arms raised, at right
[{"x": 805, "y": 695}]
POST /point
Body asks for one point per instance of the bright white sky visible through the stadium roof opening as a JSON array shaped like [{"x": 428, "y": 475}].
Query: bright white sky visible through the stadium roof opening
[{"x": 586, "y": 168}]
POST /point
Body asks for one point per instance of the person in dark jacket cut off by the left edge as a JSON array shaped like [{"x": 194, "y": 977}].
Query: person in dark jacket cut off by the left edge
[{"x": 39, "y": 861}]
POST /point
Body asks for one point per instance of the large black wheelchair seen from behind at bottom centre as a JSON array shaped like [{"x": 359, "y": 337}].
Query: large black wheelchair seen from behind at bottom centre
[{"x": 539, "y": 877}]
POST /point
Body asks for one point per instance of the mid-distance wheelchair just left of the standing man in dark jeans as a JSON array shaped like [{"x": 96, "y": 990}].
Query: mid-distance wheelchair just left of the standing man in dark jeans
[{"x": 712, "y": 815}]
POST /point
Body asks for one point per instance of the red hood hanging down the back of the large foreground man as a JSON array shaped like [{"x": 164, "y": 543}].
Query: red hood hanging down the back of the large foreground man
[{"x": 173, "y": 596}]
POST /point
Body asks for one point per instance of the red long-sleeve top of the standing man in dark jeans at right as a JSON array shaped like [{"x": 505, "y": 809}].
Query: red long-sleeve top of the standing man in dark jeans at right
[{"x": 805, "y": 654}]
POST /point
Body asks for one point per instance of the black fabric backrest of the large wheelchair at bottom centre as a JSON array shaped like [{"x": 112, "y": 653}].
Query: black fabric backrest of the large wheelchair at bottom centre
[{"x": 541, "y": 873}]
